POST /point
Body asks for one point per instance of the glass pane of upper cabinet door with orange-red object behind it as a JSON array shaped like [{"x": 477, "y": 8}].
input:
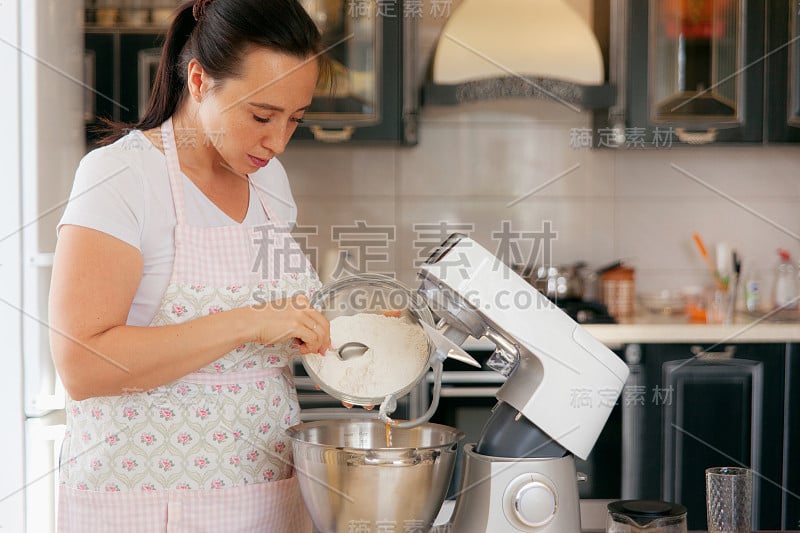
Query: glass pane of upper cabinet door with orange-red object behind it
[{"x": 696, "y": 53}]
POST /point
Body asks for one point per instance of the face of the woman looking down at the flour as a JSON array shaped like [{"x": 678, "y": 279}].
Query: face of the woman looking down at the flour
[{"x": 249, "y": 119}]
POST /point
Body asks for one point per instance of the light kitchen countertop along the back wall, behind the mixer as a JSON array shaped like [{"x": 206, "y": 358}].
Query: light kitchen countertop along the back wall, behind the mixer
[{"x": 652, "y": 328}]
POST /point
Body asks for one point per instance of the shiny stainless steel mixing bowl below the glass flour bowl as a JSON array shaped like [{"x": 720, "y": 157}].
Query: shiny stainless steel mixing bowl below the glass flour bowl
[{"x": 351, "y": 481}]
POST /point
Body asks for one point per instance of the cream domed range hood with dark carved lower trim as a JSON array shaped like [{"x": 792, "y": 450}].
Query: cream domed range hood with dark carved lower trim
[{"x": 493, "y": 49}]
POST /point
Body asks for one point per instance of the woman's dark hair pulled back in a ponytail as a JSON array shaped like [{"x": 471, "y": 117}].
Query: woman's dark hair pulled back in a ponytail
[{"x": 225, "y": 29}]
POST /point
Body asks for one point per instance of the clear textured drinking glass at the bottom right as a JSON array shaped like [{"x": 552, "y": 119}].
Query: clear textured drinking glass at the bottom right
[{"x": 729, "y": 499}]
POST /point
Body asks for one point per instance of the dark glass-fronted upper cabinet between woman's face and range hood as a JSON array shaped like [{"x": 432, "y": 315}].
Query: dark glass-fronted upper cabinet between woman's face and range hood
[{"x": 367, "y": 92}]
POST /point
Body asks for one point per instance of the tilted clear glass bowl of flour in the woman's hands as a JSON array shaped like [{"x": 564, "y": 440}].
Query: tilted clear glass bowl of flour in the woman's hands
[{"x": 377, "y": 295}]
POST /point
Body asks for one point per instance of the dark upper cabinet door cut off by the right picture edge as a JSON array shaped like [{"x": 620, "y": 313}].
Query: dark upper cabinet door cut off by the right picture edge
[{"x": 783, "y": 71}]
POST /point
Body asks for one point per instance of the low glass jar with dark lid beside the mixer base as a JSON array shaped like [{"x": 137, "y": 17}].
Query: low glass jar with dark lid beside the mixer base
[{"x": 645, "y": 516}]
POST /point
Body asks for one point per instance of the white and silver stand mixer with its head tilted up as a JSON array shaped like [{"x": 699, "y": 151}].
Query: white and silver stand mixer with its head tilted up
[{"x": 520, "y": 475}]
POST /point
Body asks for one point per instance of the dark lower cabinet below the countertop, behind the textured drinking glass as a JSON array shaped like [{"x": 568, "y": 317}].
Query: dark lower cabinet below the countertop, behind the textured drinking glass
[{"x": 702, "y": 407}]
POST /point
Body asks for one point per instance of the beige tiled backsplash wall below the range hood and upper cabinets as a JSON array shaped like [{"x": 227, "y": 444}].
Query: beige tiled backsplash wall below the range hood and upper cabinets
[{"x": 477, "y": 166}]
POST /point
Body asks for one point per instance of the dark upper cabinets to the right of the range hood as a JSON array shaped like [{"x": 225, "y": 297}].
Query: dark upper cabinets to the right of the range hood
[{"x": 696, "y": 70}]
